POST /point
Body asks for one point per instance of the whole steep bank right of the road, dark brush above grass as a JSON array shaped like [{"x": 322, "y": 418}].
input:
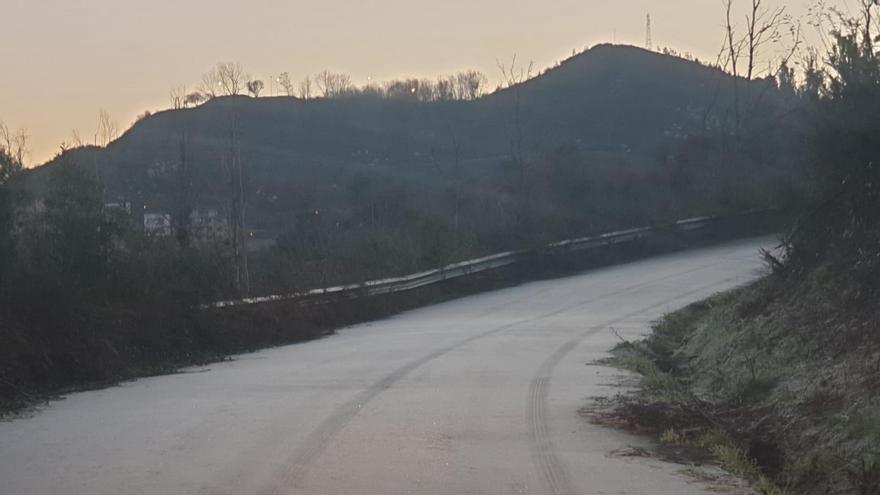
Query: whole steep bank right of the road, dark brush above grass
[{"x": 784, "y": 374}]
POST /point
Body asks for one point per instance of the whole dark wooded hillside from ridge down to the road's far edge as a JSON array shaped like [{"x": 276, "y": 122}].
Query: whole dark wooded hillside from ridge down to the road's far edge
[{"x": 350, "y": 189}]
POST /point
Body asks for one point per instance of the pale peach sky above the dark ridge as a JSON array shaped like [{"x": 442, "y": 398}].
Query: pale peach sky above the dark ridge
[{"x": 63, "y": 60}]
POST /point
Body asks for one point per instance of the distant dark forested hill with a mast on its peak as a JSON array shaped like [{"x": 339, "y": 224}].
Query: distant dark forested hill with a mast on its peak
[{"x": 617, "y": 110}]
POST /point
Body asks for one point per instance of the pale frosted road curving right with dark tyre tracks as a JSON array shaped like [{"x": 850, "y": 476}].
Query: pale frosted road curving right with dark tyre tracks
[{"x": 476, "y": 395}]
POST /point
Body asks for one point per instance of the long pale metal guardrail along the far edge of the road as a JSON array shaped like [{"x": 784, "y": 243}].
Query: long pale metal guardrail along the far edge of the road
[{"x": 471, "y": 267}]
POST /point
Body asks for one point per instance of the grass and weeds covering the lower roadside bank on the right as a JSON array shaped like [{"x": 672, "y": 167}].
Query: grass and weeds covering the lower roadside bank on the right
[{"x": 754, "y": 383}]
